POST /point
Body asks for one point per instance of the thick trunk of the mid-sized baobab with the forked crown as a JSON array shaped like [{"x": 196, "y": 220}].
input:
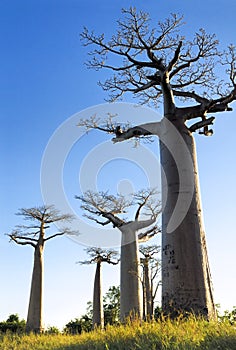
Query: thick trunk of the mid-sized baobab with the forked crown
[{"x": 130, "y": 289}]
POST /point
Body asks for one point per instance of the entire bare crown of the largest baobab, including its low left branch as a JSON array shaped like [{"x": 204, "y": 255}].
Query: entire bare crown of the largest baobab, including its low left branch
[{"x": 158, "y": 64}]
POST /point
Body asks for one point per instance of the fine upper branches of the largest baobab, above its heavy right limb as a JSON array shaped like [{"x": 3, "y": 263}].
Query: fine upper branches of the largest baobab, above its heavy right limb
[{"x": 147, "y": 53}]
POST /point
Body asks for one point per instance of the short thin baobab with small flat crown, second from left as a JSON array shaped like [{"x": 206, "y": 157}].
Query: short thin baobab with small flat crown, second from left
[{"x": 99, "y": 256}]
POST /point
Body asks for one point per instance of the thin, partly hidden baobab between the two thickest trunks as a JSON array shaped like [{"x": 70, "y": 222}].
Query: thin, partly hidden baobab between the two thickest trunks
[{"x": 151, "y": 268}]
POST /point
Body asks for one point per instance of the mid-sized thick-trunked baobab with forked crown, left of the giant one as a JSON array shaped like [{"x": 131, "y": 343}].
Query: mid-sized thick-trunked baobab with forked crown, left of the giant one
[{"x": 107, "y": 209}]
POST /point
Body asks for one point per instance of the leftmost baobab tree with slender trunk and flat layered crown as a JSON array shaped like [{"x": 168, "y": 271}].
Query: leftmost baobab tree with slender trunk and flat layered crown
[{"x": 34, "y": 234}]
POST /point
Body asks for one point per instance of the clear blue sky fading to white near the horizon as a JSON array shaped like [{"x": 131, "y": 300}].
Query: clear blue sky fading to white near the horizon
[{"x": 43, "y": 83}]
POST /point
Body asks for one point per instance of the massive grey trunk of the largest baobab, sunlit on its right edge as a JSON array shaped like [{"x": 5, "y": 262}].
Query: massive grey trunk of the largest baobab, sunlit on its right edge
[{"x": 186, "y": 280}]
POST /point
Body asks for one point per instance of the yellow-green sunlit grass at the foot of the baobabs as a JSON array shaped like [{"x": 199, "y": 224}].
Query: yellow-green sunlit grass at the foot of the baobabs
[{"x": 181, "y": 335}]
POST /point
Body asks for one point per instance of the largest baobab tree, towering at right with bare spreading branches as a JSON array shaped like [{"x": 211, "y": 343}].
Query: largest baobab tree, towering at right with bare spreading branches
[{"x": 159, "y": 66}]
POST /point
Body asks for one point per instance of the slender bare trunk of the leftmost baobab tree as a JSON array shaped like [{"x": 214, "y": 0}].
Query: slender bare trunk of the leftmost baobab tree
[{"x": 35, "y": 313}]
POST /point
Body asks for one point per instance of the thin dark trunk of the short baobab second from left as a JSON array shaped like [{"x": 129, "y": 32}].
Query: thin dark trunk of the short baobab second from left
[{"x": 98, "y": 316}]
